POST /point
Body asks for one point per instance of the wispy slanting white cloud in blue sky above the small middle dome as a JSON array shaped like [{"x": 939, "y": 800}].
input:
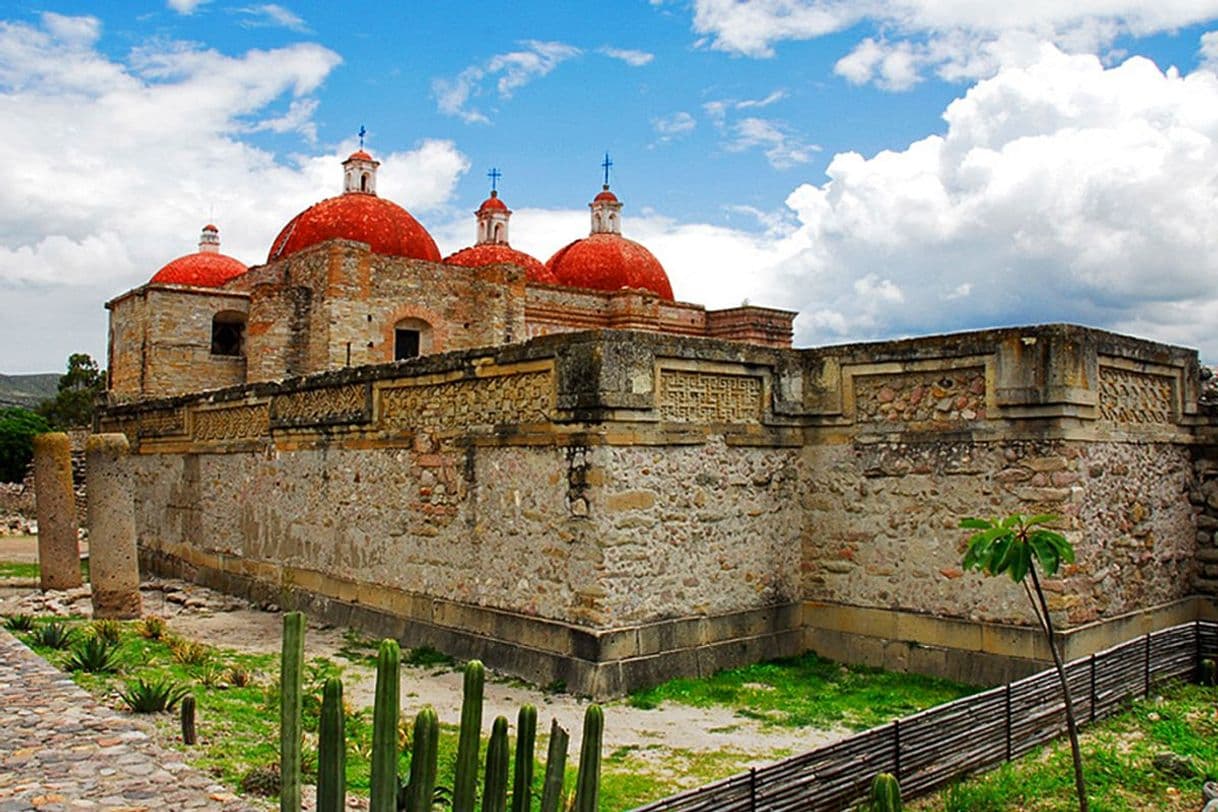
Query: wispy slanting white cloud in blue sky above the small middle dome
[{"x": 510, "y": 71}]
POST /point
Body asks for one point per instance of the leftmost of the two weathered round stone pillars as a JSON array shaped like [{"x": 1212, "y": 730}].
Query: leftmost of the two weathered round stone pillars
[{"x": 59, "y": 548}]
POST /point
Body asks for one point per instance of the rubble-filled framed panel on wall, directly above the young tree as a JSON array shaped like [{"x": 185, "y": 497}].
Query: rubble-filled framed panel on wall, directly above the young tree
[{"x": 938, "y": 396}]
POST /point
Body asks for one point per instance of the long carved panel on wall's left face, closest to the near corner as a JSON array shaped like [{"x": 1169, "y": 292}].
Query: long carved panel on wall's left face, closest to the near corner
[{"x": 499, "y": 400}]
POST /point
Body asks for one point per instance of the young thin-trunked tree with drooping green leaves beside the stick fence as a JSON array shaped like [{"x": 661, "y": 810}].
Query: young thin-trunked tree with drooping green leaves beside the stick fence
[{"x": 1016, "y": 546}]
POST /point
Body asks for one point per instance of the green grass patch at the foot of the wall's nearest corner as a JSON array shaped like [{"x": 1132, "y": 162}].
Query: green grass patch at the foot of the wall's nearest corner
[{"x": 809, "y": 692}]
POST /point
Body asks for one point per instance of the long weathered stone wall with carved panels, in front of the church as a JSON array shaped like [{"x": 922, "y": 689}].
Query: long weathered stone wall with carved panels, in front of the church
[{"x": 614, "y": 508}]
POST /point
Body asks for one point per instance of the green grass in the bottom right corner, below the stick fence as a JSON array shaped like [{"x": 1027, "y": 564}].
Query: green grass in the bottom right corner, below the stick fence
[{"x": 1118, "y": 763}]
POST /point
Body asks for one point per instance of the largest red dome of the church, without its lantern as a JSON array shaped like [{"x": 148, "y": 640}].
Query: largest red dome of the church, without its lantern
[{"x": 384, "y": 226}]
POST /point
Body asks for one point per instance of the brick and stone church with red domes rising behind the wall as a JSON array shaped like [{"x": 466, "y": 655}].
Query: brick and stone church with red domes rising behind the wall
[{"x": 356, "y": 281}]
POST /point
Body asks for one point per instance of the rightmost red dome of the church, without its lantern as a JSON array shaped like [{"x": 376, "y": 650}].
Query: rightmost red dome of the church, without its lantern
[{"x": 610, "y": 262}]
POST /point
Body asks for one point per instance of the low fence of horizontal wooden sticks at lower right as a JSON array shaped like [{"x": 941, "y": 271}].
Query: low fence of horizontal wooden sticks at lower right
[{"x": 936, "y": 747}]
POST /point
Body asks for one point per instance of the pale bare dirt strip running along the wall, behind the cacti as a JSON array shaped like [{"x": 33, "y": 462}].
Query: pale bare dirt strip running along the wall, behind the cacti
[{"x": 651, "y": 733}]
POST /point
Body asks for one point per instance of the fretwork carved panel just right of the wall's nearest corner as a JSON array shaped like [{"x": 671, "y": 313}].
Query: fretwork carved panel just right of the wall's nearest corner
[{"x": 709, "y": 397}]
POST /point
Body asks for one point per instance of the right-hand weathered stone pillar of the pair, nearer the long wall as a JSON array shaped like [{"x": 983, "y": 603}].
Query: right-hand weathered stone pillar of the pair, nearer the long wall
[{"x": 114, "y": 565}]
